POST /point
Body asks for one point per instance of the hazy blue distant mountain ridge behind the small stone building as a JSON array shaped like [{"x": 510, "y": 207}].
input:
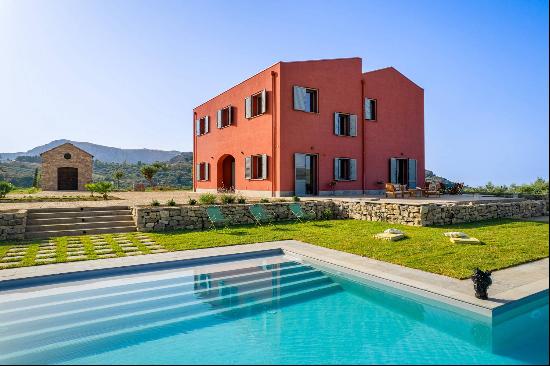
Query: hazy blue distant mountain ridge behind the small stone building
[{"x": 102, "y": 153}]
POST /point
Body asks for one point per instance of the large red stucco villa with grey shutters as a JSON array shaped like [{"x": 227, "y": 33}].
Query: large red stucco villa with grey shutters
[{"x": 311, "y": 128}]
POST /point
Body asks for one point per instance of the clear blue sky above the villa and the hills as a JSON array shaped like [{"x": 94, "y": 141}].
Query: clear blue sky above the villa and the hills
[{"x": 128, "y": 73}]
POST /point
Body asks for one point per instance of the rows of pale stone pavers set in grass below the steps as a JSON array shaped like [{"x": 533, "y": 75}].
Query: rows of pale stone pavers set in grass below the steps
[{"x": 47, "y": 249}]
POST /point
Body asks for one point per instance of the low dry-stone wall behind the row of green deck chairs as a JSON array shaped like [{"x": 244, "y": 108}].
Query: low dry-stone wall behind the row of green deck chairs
[{"x": 195, "y": 217}]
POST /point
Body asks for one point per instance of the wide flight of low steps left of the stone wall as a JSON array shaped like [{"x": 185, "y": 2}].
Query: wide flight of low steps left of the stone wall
[{"x": 51, "y": 222}]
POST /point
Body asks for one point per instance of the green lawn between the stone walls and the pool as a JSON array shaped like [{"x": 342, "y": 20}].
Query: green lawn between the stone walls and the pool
[{"x": 505, "y": 242}]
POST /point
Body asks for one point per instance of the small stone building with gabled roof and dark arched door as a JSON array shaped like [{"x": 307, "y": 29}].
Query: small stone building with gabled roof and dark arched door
[{"x": 66, "y": 168}]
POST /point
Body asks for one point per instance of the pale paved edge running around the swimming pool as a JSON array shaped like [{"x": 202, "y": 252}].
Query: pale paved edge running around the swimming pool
[{"x": 508, "y": 286}]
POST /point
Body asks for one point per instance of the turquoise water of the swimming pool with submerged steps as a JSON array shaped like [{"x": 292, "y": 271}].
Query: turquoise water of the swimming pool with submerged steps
[{"x": 286, "y": 313}]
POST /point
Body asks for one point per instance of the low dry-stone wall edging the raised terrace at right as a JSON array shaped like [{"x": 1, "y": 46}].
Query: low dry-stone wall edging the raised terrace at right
[{"x": 440, "y": 214}]
